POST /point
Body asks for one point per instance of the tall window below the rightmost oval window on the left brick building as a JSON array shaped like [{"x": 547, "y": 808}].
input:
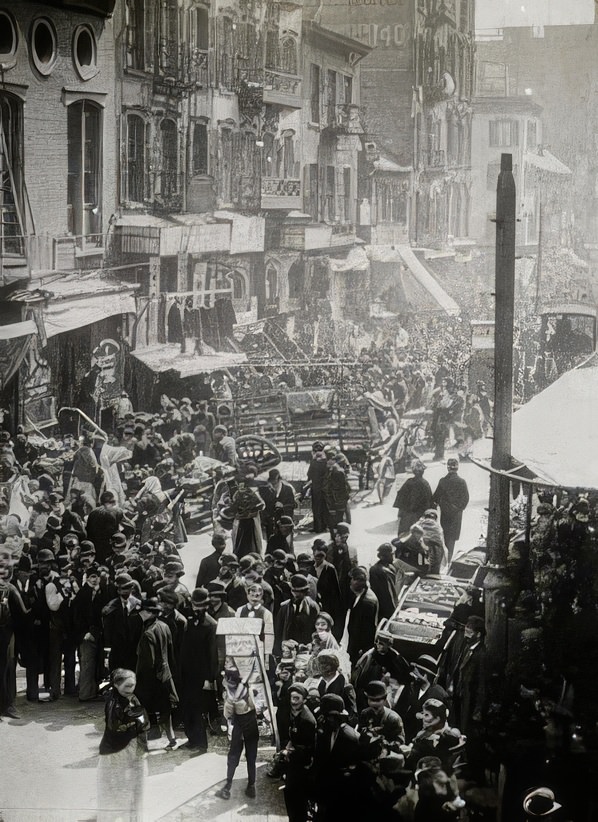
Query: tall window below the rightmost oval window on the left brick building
[{"x": 84, "y": 138}]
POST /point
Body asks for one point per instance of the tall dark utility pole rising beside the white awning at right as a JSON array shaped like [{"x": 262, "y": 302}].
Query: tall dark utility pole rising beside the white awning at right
[{"x": 496, "y": 583}]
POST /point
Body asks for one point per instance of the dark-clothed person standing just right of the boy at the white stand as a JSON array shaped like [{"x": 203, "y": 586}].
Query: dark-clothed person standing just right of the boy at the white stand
[{"x": 299, "y": 754}]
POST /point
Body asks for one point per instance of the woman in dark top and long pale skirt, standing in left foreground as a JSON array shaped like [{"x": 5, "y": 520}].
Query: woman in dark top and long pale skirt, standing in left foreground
[{"x": 122, "y": 768}]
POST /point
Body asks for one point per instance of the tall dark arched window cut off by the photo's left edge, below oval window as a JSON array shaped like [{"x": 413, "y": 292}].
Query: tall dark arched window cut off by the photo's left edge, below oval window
[{"x": 11, "y": 180}]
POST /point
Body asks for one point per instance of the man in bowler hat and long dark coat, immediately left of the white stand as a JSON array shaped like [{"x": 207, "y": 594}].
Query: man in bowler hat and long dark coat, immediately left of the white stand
[{"x": 199, "y": 671}]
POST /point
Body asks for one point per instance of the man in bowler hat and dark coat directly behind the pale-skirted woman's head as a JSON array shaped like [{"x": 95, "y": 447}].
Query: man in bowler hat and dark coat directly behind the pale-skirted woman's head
[{"x": 122, "y": 625}]
